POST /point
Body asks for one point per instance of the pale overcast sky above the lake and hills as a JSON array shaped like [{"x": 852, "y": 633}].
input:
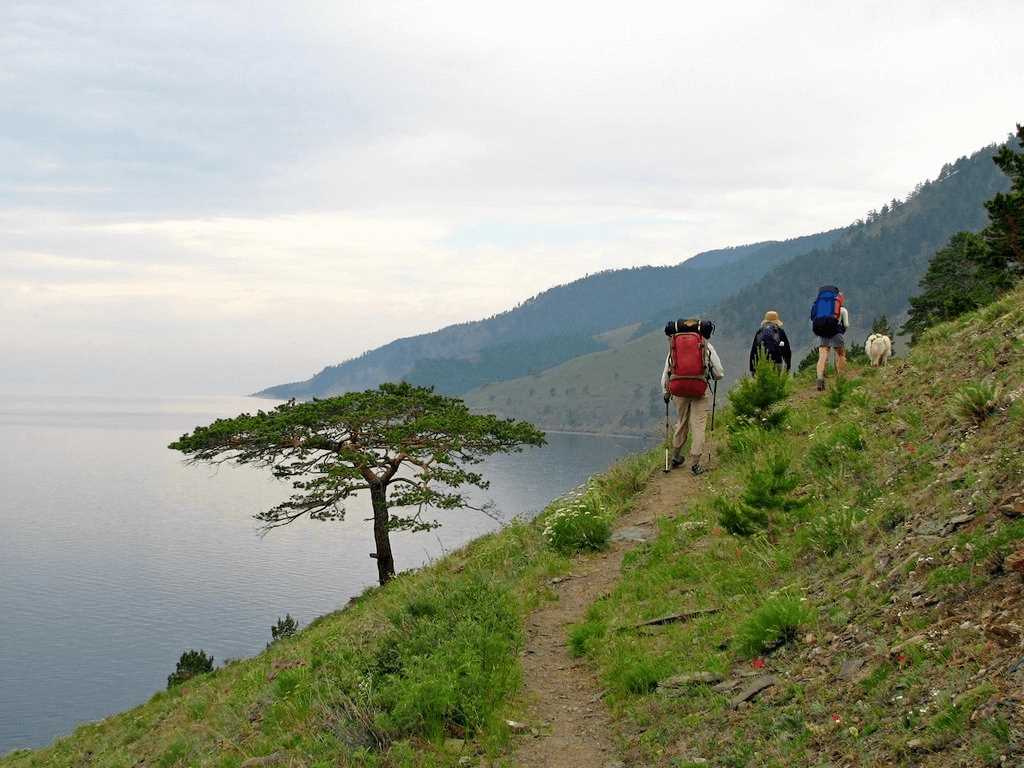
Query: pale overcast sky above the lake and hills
[{"x": 206, "y": 198}]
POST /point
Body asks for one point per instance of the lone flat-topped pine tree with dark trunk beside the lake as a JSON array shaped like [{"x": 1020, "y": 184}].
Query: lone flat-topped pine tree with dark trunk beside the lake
[{"x": 408, "y": 446}]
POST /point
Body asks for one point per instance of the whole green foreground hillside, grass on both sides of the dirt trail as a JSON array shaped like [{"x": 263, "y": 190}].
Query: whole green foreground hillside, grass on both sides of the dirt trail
[{"x": 876, "y": 619}]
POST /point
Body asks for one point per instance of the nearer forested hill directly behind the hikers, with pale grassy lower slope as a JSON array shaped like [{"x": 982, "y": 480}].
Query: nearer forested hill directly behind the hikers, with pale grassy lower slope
[{"x": 878, "y": 264}]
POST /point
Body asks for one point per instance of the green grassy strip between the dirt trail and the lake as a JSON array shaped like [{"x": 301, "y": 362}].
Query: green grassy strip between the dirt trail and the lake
[{"x": 419, "y": 673}]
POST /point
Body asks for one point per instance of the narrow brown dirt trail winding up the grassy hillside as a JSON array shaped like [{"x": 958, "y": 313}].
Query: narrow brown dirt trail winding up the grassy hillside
[{"x": 565, "y": 696}]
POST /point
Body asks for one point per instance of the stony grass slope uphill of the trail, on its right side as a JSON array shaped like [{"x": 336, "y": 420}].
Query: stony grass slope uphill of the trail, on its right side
[{"x": 872, "y": 560}]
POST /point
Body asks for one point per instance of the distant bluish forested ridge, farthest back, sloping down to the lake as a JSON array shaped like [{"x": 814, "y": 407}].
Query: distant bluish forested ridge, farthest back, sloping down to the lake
[{"x": 557, "y": 325}]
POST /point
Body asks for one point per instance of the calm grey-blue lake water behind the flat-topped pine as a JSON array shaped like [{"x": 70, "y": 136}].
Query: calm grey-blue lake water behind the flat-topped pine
[{"x": 115, "y": 557}]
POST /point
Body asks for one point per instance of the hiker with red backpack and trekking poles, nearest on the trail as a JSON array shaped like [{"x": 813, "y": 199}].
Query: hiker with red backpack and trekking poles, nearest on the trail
[{"x": 690, "y": 365}]
